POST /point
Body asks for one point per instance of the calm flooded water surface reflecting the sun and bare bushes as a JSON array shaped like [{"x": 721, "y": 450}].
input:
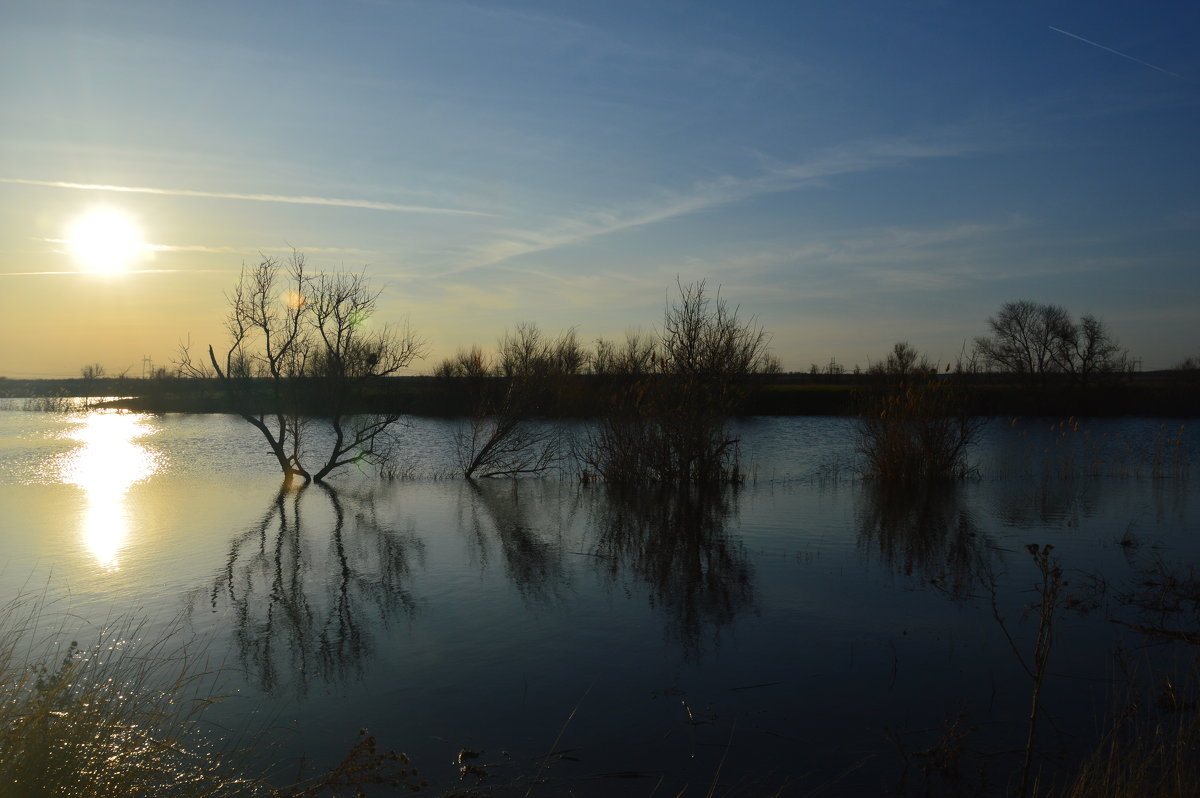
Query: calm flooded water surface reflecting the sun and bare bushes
[{"x": 805, "y": 632}]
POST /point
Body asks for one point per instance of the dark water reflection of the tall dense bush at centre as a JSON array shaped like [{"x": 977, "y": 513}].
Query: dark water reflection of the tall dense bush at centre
[{"x": 675, "y": 542}]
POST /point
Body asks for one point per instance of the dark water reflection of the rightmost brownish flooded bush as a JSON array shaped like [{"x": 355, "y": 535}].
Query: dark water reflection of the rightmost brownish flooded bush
[{"x": 927, "y": 533}]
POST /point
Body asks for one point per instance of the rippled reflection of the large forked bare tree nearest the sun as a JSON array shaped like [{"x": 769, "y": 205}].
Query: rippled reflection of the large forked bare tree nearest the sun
[{"x": 299, "y": 589}]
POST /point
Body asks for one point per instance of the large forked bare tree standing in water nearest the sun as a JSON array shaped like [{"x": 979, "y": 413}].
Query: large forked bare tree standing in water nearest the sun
[{"x": 301, "y": 353}]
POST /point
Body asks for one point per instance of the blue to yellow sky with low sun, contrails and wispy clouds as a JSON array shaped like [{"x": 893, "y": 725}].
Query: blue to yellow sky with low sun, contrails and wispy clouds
[{"x": 848, "y": 175}]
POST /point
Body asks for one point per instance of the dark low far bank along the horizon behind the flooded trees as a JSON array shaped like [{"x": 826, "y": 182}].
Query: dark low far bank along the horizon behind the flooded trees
[{"x": 1155, "y": 394}]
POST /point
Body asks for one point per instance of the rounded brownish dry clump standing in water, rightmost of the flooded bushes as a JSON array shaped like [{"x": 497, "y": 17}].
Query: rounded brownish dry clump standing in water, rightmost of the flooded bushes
[{"x": 916, "y": 433}]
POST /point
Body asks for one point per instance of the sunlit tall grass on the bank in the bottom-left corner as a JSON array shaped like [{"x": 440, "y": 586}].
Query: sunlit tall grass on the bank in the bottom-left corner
[{"x": 116, "y": 716}]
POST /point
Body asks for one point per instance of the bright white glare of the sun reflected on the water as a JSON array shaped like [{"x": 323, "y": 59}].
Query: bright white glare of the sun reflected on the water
[{"x": 106, "y": 465}]
